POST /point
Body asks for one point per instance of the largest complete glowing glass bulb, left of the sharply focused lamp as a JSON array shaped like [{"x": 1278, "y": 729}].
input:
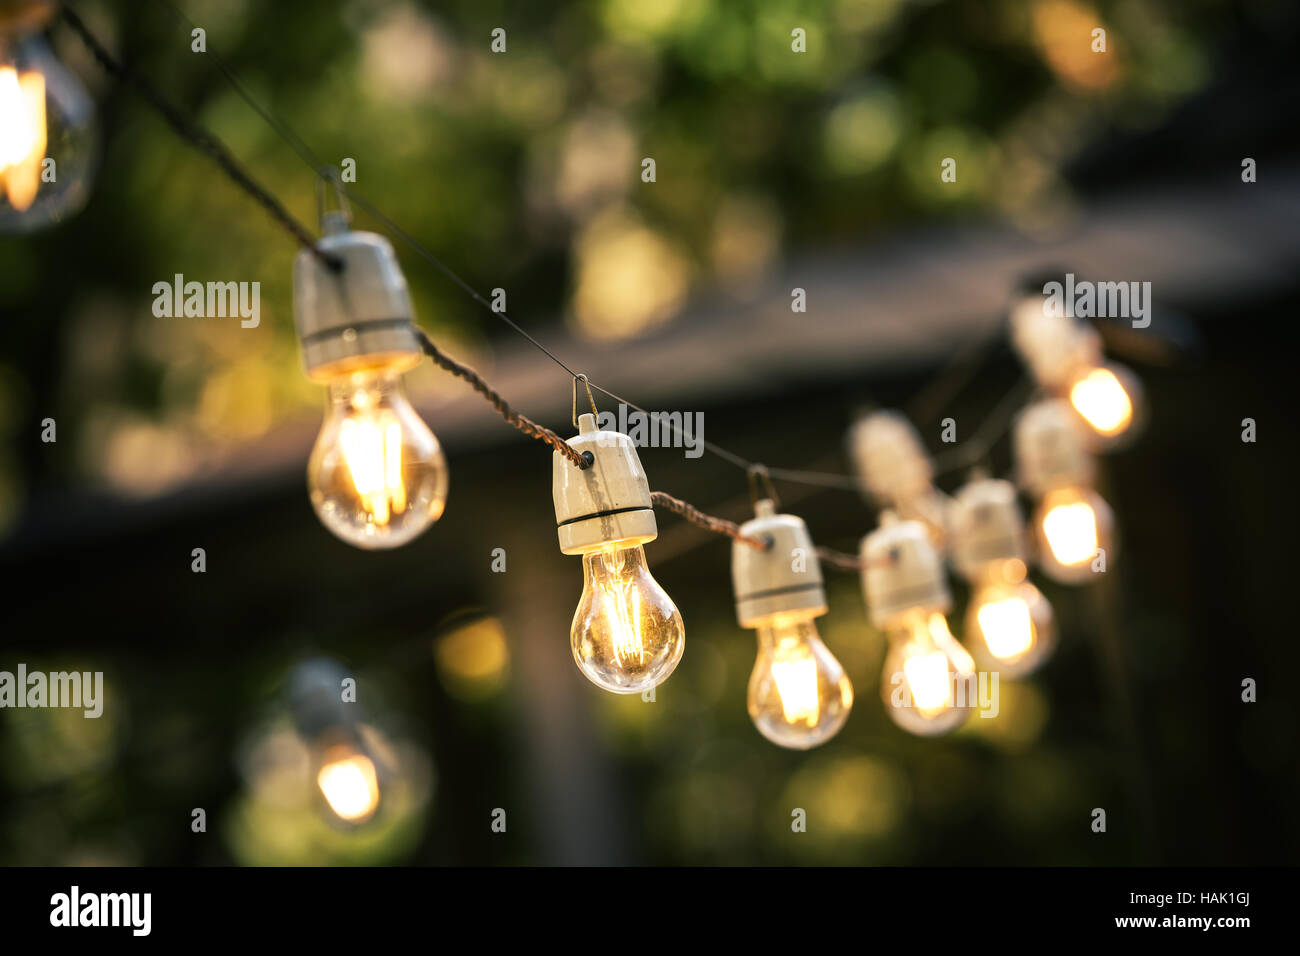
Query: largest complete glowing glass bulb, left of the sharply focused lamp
[{"x": 378, "y": 474}]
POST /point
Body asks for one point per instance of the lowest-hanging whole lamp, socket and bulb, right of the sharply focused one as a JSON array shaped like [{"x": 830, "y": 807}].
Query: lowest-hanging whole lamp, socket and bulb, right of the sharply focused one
[{"x": 799, "y": 694}]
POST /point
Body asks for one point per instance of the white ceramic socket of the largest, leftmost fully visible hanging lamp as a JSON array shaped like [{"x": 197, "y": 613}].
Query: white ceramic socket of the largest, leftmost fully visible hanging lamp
[{"x": 358, "y": 318}]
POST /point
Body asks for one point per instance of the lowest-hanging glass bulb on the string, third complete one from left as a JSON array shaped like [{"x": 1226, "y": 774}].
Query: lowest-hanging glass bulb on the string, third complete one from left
[{"x": 799, "y": 694}]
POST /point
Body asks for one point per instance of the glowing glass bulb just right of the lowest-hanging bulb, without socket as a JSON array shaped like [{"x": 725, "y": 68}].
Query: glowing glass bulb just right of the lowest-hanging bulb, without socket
[{"x": 929, "y": 681}]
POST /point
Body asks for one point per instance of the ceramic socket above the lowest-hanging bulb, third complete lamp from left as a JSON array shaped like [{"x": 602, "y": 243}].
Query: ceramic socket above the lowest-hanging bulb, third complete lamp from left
[{"x": 786, "y": 578}]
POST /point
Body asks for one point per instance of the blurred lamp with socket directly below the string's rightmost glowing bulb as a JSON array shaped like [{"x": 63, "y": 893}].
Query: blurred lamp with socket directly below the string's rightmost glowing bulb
[{"x": 1073, "y": 524}]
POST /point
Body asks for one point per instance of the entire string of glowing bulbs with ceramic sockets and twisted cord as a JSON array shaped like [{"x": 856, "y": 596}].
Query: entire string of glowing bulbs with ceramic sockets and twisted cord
[{"x": 379, "y": 478}]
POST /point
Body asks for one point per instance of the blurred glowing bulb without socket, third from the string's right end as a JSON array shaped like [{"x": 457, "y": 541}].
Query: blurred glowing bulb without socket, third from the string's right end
[{"x": 1009, "y": 624}]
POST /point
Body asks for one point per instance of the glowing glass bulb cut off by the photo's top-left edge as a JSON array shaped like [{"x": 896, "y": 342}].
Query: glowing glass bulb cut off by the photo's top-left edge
[{"x": 49, "y": 139}]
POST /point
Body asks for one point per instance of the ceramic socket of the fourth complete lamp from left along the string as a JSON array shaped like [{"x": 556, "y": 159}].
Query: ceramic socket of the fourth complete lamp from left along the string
[{"x": 902, "y": 572}]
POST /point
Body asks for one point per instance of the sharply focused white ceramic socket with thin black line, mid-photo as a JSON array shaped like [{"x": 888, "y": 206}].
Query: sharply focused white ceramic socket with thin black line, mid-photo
[{"x": 608, "y": 504}]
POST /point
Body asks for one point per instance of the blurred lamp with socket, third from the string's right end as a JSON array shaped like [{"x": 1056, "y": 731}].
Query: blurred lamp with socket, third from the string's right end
[{"x": 1009, "y": 625}]
